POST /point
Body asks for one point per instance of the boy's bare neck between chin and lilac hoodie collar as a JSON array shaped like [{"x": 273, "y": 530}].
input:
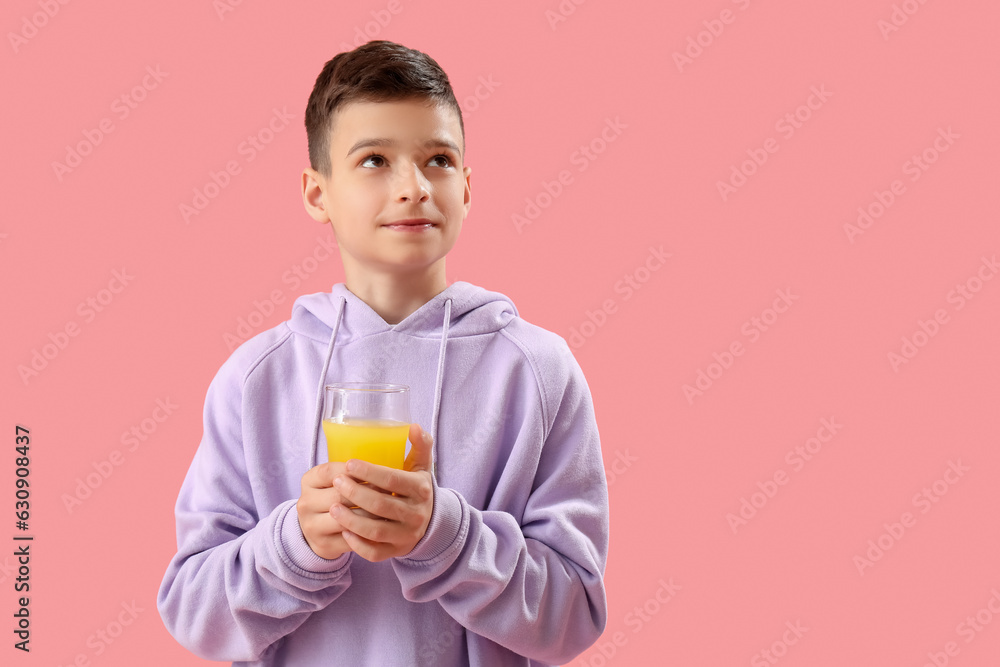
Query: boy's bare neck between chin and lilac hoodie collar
[{"x": 395, "y": 296}]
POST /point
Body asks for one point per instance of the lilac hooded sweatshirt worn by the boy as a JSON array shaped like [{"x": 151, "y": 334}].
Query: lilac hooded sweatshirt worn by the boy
[{"x": 510, "y": 571}]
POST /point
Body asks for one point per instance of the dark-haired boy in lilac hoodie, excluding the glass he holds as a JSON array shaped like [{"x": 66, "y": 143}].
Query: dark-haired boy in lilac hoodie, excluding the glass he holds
[{"x": 491, "y": 547}]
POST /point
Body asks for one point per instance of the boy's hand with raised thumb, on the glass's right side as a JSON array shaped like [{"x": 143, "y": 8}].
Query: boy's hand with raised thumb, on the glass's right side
[{"x": 391, "y": 524}]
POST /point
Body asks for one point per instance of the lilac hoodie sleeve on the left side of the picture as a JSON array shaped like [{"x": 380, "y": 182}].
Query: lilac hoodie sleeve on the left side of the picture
[{"x": 239, "y": 582}]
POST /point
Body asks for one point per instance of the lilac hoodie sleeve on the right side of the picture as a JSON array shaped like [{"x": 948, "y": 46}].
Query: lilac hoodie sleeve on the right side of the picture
[{"x": 536, "y": 586}]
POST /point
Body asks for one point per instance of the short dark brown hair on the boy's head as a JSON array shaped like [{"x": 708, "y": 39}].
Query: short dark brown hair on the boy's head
[{"x": 379, "y": 71}]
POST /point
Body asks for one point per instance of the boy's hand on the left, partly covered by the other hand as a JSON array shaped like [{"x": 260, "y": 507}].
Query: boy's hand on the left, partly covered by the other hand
[{"x": 321, "y": 530}]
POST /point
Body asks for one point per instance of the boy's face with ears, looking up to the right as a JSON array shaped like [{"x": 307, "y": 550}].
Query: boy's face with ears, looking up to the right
[{"x": 414, "y": 171}]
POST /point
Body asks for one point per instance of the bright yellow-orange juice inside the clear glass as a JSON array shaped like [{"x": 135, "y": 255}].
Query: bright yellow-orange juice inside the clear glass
[{"x": 373, "y": 440}]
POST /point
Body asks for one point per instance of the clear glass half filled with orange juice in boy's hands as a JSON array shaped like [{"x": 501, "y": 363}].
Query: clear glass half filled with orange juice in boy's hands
[{"x": 367, "y": 421}]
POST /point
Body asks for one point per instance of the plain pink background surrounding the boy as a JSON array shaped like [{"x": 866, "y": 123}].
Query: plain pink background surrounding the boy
[{"x": 678, "y": 467}]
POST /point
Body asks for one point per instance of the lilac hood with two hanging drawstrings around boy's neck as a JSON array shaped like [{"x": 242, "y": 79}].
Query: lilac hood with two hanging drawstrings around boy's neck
[{"x": 461, "y": 309}]
